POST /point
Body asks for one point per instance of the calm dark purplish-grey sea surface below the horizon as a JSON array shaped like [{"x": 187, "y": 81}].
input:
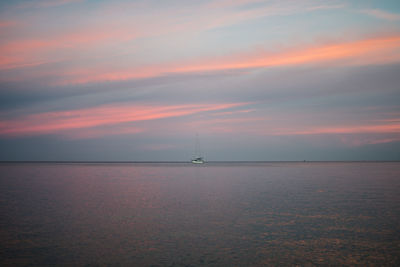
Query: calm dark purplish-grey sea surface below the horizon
[{"x": 248, "y": 214}]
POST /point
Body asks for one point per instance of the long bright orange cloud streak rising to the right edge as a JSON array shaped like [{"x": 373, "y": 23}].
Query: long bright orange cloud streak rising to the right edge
[{"x": 369, "y": 51}]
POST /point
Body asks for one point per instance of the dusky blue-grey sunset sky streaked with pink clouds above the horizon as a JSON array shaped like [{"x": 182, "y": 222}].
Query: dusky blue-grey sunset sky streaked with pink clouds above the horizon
[{"x": 265, "y": 80}]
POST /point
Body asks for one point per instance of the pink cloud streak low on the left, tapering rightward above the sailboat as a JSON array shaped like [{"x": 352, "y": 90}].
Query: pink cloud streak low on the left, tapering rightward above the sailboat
[{"x": 62, "y": 121}]
